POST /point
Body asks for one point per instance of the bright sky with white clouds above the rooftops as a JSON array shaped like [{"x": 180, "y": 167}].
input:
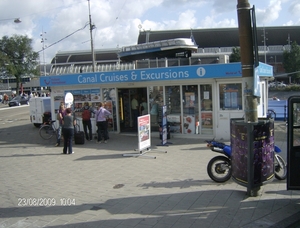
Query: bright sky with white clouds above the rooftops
[{"x": 63, "y": 25}]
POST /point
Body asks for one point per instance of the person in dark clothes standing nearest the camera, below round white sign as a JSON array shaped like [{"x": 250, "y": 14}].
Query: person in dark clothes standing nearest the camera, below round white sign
[{"x": 68, "y": 124}]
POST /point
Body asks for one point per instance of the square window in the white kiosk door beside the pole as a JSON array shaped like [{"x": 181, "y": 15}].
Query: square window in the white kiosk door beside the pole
[{"x": 230, "y": 96}]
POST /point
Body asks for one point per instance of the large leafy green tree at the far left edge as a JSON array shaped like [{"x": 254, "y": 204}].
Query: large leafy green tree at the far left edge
[{"x": 17, "y": 57}]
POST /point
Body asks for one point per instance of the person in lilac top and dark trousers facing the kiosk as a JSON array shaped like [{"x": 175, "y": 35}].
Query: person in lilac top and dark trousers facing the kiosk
[{"x": 101, "y": 115}]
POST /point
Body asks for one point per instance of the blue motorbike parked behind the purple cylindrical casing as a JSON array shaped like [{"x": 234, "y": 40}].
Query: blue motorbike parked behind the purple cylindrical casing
[{"x": 219, "y": 167}]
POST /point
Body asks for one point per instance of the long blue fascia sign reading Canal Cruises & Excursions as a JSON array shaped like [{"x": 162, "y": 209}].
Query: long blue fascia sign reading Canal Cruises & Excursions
[{"x": 229, "y": 70}]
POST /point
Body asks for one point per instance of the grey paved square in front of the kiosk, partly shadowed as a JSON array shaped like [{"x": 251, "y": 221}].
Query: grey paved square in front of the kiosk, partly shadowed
[{"x": 99, "y": 187}]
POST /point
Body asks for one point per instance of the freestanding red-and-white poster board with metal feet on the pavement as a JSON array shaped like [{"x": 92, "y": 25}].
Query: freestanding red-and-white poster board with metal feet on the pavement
[{"x": 144, "y": 138}]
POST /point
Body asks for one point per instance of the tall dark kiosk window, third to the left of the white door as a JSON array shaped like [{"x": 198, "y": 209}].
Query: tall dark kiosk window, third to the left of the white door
[{"x": 173, "y": 103}]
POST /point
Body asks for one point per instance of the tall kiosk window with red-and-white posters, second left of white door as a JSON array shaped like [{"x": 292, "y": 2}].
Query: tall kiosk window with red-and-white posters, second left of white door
[{"x": 190, "y": 109}]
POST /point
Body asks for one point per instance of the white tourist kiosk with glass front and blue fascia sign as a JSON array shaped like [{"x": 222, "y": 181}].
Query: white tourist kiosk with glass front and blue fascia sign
[{"x": 200, "y": 99}]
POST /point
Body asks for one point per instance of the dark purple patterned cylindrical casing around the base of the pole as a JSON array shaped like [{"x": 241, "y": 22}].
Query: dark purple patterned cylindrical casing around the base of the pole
[{"x": 252, "y": 151}]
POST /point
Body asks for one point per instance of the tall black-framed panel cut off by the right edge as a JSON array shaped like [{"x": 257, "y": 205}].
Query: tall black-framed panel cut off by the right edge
[{"x": 293, "y": 147}]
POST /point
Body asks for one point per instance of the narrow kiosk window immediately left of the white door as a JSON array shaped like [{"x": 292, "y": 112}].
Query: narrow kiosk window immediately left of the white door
[{"x": 206, "y": 123}]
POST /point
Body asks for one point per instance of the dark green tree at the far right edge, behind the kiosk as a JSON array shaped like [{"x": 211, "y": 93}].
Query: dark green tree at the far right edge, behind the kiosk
[{"x": 291, "y": 61}]
